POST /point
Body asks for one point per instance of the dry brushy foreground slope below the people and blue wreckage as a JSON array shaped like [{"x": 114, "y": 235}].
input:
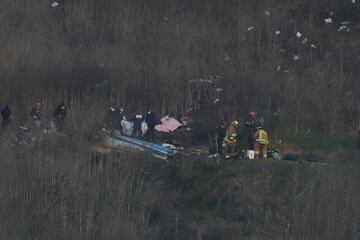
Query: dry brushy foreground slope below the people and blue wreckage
[{"x": 54, "y": 191}]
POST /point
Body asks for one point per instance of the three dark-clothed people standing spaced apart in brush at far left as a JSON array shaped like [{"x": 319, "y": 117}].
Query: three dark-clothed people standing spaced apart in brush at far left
[{"x": 60, "y": 113}]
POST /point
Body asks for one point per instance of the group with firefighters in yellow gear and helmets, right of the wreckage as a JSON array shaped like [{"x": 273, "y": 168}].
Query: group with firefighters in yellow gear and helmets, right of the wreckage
[{"x": 252, "y": 138}]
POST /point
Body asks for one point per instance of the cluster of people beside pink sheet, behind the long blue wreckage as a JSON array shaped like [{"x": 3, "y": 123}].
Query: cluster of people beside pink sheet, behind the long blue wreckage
[{"x": 136, "y": 126}]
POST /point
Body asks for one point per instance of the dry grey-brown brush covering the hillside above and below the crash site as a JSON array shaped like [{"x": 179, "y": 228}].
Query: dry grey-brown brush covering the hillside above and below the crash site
[{"x": 138, "y": 54}]
